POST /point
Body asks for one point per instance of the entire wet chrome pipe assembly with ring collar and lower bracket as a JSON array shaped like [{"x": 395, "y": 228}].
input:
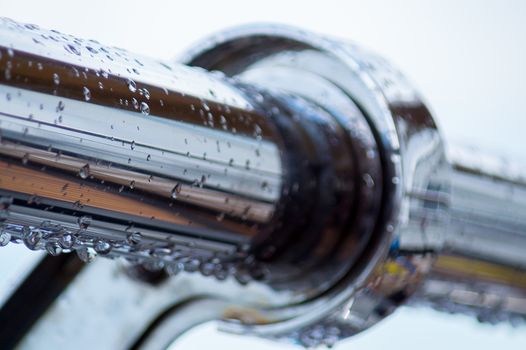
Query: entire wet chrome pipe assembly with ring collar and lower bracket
[{"x": 303, "y": 173}]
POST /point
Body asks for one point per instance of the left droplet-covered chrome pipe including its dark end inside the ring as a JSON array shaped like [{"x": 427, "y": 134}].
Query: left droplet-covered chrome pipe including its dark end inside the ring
[{"x": 106, "y": 152}]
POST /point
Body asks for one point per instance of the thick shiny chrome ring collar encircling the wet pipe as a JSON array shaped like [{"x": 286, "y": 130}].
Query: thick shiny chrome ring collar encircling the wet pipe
[{"x": 406, "y": 144}]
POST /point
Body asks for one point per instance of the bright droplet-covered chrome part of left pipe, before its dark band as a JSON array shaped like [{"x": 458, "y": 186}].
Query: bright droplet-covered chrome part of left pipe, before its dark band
[{"x": 95, "y": 139}]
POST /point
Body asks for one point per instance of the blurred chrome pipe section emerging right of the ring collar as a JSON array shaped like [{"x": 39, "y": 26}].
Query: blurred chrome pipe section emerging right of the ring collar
[{"x": 480, "y": 269}]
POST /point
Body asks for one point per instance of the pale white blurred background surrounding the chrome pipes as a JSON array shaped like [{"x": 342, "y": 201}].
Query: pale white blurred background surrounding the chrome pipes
[{"x": 467, "y": 58}]
